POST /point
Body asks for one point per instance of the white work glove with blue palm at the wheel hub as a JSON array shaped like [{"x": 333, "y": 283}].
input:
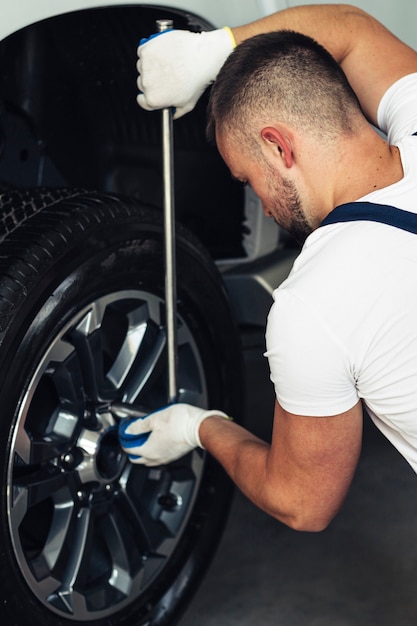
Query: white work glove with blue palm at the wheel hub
[{"x": 165, "y": 435}]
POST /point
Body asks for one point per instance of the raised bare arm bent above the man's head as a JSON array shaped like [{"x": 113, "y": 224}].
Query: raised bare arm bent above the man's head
[{"x": 372, "y": 57}]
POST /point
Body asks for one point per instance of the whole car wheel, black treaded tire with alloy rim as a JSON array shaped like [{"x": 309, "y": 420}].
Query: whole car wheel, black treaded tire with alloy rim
[{"x": 86, "y": 537}]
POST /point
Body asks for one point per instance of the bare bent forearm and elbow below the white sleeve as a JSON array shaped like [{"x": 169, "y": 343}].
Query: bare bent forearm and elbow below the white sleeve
[{"x": 303, "y": 477}]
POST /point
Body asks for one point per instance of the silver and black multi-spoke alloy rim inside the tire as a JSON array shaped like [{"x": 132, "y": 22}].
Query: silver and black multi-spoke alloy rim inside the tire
[{"x": 91, "y": 531}]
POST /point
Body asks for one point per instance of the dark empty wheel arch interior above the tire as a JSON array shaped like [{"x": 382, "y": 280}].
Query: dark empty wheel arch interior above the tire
[{"x": 70, "y": 118}]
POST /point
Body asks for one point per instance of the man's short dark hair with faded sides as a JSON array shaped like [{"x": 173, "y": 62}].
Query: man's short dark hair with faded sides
[{"x": 286, "y": 73}]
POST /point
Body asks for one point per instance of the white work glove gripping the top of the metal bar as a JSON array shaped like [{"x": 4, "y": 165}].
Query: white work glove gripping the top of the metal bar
[{"x": 176, "y": 66}]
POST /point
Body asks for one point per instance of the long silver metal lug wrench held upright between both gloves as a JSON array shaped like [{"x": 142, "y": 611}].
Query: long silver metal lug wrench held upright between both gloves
[{"x": 169, "y": 239}]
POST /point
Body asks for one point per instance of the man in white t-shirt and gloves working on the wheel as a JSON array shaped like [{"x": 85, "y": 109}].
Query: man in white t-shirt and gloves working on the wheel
[{"x": 342, "y": 329}]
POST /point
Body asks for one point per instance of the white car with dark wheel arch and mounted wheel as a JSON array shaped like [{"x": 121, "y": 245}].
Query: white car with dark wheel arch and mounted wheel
[{"x": 85, "y": 538}]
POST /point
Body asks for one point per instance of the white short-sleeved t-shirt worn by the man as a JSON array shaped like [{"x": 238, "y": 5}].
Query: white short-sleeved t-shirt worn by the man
[{"x": 343, "y": 326}]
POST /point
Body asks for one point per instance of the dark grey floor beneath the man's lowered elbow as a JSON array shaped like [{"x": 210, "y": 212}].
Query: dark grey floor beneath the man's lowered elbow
[{"x": 361, "y": 571}]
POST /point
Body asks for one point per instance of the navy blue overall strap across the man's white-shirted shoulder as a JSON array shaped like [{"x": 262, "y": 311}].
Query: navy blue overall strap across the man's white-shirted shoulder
[{"x": 369, "y": 211}]
